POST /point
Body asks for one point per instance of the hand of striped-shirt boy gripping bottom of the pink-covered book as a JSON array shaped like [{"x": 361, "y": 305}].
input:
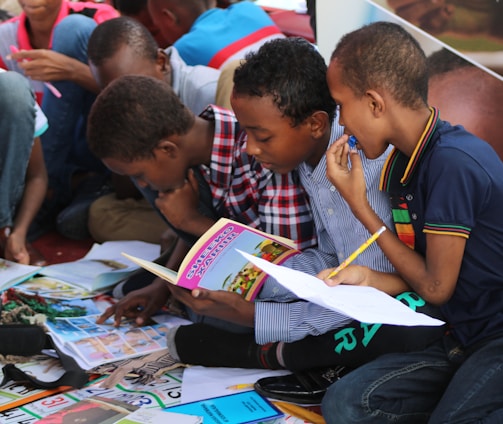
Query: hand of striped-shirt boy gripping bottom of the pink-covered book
[{"x": 217, "y": 304}]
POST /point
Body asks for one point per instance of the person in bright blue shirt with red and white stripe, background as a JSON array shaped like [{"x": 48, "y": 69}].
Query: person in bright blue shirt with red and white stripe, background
[{"x": 204, "y": 34}]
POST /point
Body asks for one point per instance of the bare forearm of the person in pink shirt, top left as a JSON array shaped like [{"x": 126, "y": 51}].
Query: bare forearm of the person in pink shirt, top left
[{"x": 48, "y": 65}]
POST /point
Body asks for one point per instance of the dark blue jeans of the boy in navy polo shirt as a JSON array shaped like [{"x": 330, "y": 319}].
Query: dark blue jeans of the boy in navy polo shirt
[{"x": 440, "y": 384}]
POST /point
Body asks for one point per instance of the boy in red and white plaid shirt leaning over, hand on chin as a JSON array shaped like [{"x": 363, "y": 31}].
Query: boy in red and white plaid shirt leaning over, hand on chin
[{"x": 139, "y": 128}]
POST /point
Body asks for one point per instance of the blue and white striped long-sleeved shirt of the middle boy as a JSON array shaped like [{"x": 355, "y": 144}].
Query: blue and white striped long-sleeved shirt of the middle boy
[{"x": 279, "y": 314}]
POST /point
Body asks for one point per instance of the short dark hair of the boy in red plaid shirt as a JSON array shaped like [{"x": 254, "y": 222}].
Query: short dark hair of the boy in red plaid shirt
[{"x": 132, "y": 115}]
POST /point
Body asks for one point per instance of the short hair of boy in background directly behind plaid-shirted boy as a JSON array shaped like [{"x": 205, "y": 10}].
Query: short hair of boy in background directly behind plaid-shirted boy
[{"x": 110, "y": 35}]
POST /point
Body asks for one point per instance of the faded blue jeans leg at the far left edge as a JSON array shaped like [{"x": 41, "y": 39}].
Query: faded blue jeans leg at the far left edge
[{"x": 17, "y": 125}]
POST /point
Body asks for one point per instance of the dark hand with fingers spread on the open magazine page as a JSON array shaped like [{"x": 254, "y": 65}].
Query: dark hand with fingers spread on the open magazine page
[{"x": 139, "y": 304}]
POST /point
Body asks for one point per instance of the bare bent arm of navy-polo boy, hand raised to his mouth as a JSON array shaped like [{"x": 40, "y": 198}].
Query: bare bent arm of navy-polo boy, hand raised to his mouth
[{"x": 433, "y": 277}]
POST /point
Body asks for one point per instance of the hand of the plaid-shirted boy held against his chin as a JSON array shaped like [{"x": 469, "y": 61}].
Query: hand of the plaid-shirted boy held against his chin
[{"x": 180, "y": 206}]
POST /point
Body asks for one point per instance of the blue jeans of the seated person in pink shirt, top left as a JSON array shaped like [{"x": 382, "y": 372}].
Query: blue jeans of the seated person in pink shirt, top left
[{"x": 64, "y": 143}]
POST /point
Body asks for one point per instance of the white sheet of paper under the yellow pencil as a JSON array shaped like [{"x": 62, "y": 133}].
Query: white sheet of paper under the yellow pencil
[{"x": 365, "y": 304}]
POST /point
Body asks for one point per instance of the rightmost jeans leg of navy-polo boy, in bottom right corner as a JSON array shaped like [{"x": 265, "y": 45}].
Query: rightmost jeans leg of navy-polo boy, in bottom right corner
[{"x": 474, "y": 393}]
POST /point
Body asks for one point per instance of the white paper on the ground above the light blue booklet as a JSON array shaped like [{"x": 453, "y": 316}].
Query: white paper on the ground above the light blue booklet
[{"x": 207, "y": 382}]
